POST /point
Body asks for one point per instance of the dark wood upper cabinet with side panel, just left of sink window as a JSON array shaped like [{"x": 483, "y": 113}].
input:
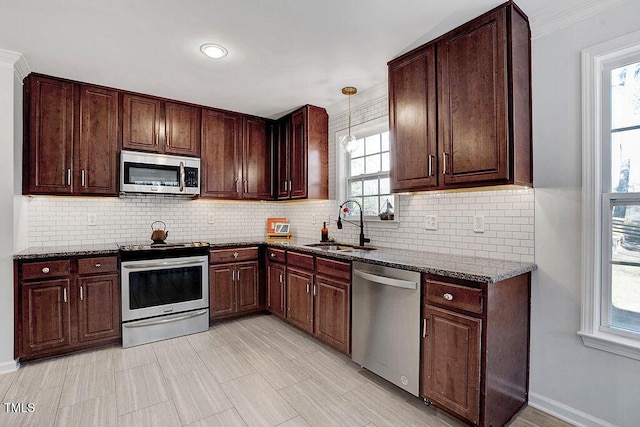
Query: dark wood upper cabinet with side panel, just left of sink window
[{"x": 302, "y": 154}]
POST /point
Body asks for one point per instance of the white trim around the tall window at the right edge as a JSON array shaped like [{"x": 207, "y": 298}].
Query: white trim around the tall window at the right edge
[{"x": 593, "y": 249}]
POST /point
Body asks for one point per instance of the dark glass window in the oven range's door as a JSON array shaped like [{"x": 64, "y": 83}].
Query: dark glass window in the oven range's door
[{"x": 161, "y": 287}]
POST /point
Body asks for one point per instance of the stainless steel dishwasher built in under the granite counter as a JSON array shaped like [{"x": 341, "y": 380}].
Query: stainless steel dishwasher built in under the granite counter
[{"x": 385, "y": 334}]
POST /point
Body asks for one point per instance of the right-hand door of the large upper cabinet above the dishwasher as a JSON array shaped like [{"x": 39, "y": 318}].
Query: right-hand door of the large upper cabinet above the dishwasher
[{"x": 472, "y": 101}]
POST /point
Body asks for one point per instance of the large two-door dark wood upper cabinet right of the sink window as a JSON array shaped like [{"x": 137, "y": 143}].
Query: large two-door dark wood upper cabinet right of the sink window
[{"x": 480, "y": 109}]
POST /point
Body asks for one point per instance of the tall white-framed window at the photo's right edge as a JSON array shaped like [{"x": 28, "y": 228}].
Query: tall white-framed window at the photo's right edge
[{"x": 611, "y": 197}]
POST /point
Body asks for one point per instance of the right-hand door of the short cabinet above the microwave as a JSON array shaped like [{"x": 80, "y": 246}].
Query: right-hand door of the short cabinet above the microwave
[{"x": 182, "y": 128}]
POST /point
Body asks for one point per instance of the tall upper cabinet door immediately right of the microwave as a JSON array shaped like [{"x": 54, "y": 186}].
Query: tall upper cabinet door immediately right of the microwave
[{"x": 221, "y": 145}]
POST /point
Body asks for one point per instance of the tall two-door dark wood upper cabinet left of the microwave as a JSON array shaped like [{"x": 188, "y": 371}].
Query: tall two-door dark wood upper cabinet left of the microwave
[{"x": 71, "y": 138}]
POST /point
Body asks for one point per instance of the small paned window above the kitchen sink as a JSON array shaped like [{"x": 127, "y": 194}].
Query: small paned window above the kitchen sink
[{"x": 364, "y": 175}]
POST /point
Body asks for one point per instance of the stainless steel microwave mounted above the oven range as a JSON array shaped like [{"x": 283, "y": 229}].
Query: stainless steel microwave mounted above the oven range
[{"x": 159, "y": 174}]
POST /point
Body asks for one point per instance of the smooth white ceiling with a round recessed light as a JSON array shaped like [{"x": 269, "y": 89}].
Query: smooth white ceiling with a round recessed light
[{"x": 282, "y": 53}]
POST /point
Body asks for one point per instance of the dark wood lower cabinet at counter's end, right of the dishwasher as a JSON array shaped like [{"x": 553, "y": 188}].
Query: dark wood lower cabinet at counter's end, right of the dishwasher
[{"x": 475, "y": 347}]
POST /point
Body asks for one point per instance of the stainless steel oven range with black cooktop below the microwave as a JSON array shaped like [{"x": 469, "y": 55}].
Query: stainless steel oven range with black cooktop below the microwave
[{"x": 165, "y": 291}]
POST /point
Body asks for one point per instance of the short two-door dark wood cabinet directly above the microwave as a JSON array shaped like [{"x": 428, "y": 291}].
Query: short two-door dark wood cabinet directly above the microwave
[{"x": 151, "y": 124}]
